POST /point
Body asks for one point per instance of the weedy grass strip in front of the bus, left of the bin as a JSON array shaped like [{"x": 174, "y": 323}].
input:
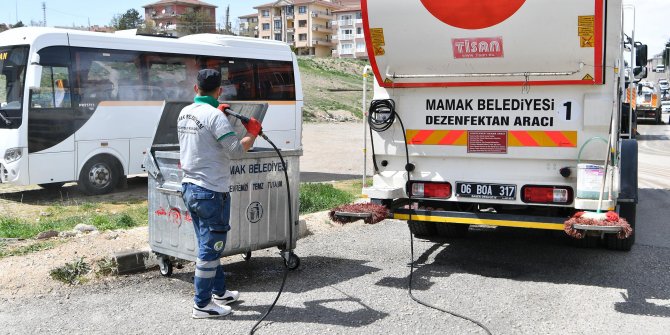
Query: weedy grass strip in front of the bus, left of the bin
[{"x": 67, "y": 219}]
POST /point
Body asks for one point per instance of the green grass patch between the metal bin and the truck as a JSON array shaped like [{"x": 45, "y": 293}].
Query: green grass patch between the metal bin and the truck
[{"x": 315, "y": 197}]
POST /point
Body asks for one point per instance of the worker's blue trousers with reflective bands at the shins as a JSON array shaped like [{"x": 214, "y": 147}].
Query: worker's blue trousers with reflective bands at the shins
[{"x": 210, "y": 212}]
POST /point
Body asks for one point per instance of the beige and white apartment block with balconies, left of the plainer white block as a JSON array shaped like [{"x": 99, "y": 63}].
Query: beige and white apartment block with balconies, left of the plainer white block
[{"x": 304, "y": 24}]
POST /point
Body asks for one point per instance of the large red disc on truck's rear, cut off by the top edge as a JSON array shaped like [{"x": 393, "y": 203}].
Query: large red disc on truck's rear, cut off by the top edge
[{"x": 472, "y": 14}]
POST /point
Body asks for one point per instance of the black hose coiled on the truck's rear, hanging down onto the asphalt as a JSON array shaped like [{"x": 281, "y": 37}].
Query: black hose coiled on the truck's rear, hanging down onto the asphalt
[{"x": 381, "y": 116}]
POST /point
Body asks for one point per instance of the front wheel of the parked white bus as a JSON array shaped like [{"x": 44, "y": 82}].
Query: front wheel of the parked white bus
[{"x": 99, "y": 175}]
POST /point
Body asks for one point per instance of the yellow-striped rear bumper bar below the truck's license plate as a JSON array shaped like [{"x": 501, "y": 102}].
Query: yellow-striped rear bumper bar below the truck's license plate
[{"x": 492, "y": 219}]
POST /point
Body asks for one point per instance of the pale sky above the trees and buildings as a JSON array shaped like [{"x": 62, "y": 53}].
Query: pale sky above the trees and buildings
[{"x": 650, "y": 19}]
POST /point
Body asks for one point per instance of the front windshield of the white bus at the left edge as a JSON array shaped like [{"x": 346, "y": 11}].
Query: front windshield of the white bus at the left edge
[{"x": 13, "y": 61}]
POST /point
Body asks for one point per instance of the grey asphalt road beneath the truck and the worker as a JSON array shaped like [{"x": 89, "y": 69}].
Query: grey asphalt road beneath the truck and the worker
[{"x": 353, "y": 280}]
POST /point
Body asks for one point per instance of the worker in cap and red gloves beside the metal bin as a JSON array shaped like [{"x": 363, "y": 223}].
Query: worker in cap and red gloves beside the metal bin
[{"x": 207, "y": 144}]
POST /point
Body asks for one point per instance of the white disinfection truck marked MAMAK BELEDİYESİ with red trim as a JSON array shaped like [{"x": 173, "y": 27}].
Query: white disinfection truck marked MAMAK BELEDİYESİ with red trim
[{"x": 491, "y": 114}]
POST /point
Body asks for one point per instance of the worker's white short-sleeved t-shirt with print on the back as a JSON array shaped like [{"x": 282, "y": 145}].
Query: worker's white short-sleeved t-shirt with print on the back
[{"x": 204, "y": 161}]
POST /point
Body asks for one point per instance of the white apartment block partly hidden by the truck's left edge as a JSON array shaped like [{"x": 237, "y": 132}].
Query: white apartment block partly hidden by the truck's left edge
[{"x": 348, "y": 33}]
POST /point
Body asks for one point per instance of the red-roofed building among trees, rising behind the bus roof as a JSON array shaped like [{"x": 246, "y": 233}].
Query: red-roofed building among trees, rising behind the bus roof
[{"x": 166, "y": 14}]
